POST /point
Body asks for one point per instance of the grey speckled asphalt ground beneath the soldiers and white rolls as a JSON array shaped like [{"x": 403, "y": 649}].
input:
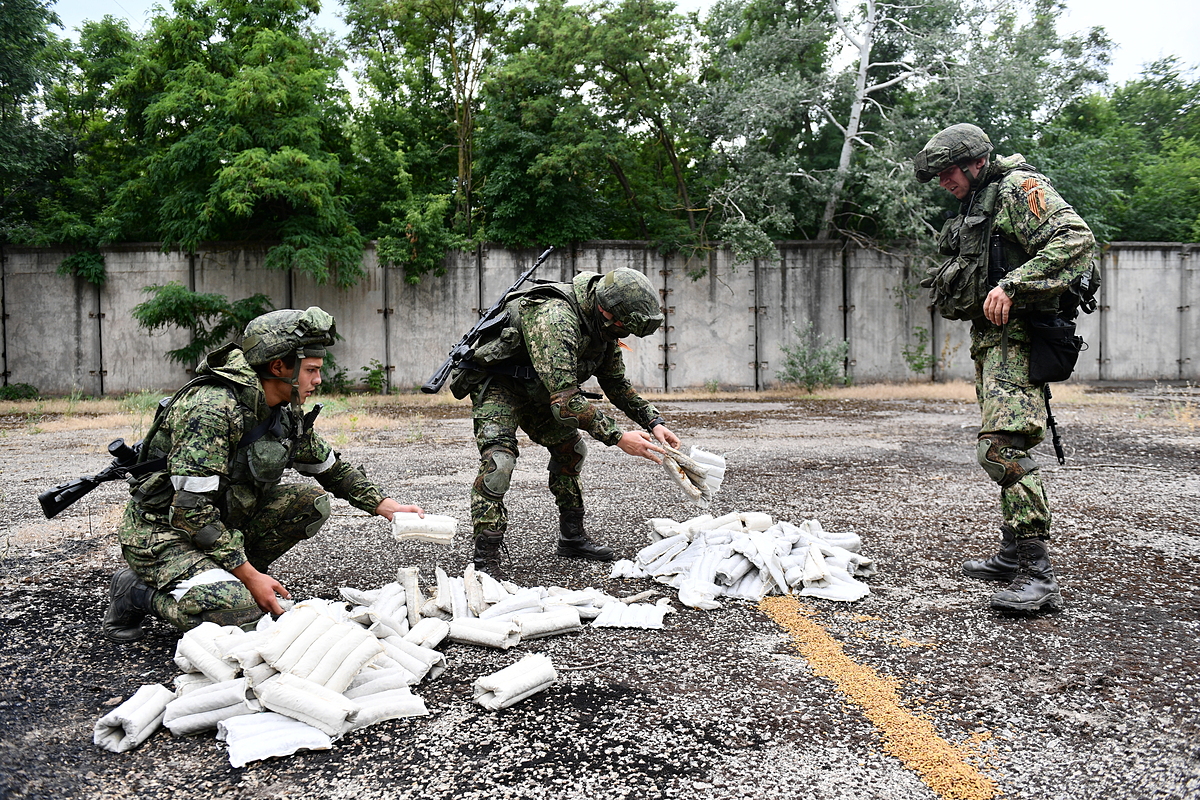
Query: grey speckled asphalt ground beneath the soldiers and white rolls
[{"x": 917, "y": 691}]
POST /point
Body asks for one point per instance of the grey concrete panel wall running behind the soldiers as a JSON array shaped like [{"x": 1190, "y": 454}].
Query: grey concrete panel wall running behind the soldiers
[{"x": 728, "y": 328}]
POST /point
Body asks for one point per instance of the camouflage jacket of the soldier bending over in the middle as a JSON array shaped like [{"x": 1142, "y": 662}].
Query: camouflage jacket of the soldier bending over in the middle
[{"x": 554, "y": 329}]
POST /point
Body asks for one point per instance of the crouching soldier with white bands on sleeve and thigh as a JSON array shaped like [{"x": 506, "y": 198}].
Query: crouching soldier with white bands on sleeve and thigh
[{"x": 201, "y": 533}]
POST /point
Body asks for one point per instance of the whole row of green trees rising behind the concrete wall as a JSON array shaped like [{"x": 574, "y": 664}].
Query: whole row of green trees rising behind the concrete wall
[{"x": 554, "y": 122}]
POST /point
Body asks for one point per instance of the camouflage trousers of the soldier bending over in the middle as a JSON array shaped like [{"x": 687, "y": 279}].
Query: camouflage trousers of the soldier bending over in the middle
[{"x": 499, "y": 410}]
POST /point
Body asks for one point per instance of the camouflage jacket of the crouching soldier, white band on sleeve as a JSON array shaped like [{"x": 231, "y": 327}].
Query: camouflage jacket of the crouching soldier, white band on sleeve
[{"x": 214, "y": 484}]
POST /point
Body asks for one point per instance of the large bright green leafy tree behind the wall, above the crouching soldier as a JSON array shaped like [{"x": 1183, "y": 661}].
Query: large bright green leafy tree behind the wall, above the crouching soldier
[{"x": 241, "y": 116}]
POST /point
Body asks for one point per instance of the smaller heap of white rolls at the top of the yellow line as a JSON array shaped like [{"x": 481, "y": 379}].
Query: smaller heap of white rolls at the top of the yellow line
[{"x": 748, "y": 556}]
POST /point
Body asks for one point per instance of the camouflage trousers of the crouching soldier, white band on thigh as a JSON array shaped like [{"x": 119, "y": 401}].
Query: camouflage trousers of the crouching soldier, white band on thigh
[{"x": 166, "y": 558}]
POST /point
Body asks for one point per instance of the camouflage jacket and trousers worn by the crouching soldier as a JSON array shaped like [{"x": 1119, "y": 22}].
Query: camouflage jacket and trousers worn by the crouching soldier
[{"x": 219, "y": 506}]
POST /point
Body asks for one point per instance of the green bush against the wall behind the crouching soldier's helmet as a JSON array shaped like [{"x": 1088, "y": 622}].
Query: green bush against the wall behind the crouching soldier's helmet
[{"x": 212, "y": 318}]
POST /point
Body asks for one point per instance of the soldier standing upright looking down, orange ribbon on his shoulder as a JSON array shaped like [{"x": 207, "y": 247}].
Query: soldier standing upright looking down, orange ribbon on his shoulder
[{"x": 1042, "y": 254}]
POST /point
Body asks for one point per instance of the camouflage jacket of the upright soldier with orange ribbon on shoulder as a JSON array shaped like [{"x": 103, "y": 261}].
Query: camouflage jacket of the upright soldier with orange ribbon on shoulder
[{"x": 1047, "y": 244}]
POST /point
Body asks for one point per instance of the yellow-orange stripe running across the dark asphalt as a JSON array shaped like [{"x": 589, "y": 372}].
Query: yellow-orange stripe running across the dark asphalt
[{"x": 907, "y": 737}]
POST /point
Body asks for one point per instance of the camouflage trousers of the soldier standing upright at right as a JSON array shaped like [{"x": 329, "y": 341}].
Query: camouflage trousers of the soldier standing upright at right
[{"x": 1011, "y": 404}]
